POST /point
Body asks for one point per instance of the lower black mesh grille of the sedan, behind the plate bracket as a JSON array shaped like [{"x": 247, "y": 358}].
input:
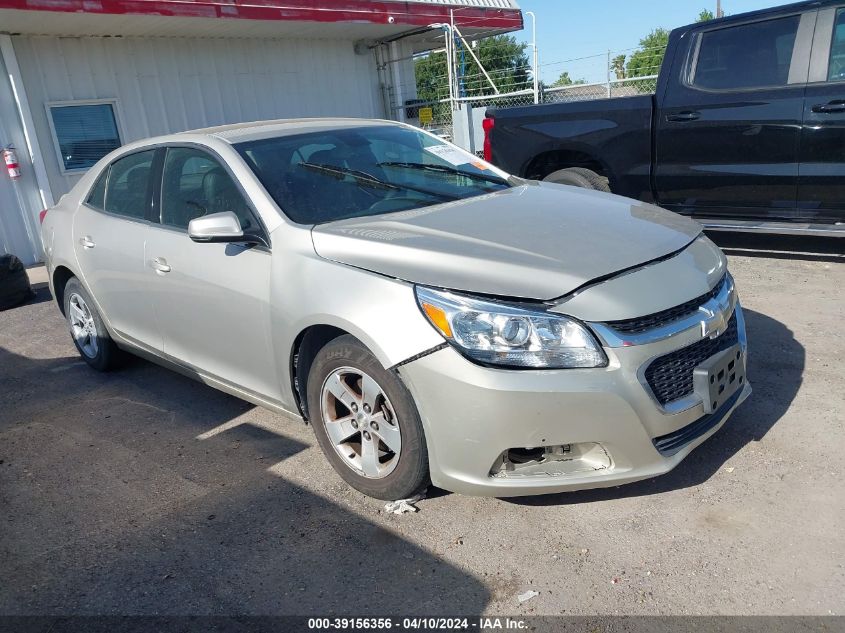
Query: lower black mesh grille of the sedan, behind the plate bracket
[{"x": 670, "y": 375}]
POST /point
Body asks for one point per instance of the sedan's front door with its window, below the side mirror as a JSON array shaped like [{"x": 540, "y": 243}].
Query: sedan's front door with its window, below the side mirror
[{"x": 212, "y": 300}]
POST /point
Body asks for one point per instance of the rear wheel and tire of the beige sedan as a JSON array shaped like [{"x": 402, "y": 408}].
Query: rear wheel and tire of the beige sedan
[{"x": 87, "y": 330}]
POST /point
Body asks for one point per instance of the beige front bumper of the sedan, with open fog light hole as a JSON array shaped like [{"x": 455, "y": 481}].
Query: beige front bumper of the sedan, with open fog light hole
[{"x": 474, "y": 414}]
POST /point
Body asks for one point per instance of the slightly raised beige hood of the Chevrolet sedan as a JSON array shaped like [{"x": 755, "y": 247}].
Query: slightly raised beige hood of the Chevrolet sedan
[{"x": 532, "y": 241}]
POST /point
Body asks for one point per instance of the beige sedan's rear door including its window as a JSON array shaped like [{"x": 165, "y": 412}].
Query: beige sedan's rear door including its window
[{"x": 109, "y": 236}]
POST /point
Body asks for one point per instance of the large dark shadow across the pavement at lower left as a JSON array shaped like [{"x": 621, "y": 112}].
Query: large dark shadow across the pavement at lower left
[{"x": 121, "y": 497}]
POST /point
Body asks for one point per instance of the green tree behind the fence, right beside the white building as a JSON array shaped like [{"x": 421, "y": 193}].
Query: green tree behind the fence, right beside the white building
[{"x": 502, "y": 56}]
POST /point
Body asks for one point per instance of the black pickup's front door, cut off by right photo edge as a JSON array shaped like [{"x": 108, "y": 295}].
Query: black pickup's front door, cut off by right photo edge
[{"x": 821, "y": 182}]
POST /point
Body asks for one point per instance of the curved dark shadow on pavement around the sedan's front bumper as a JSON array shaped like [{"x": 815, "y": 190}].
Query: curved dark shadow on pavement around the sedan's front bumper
[{"x": 775, "y": 370}]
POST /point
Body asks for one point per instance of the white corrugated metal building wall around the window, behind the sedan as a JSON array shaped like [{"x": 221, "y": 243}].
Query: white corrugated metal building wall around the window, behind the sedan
[{"x": 165, "y": 85}]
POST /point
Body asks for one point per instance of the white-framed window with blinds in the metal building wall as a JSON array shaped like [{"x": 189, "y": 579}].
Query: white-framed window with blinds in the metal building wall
[{"x": 83, "y": 131}]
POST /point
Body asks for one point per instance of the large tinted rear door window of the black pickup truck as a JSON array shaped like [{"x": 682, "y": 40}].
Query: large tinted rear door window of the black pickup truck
[{"x": 753, "y": 55}]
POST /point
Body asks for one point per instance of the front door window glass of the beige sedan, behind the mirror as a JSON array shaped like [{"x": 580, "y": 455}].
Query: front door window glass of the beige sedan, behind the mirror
[{"x": 195, "y": 184}]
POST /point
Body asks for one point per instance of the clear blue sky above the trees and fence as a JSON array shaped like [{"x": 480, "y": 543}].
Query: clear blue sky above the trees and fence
[{"x": 571, "y": 29}]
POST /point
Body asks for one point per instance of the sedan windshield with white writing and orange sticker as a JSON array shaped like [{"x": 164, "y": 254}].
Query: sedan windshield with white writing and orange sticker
[{"x": 332, "y": 175}]
